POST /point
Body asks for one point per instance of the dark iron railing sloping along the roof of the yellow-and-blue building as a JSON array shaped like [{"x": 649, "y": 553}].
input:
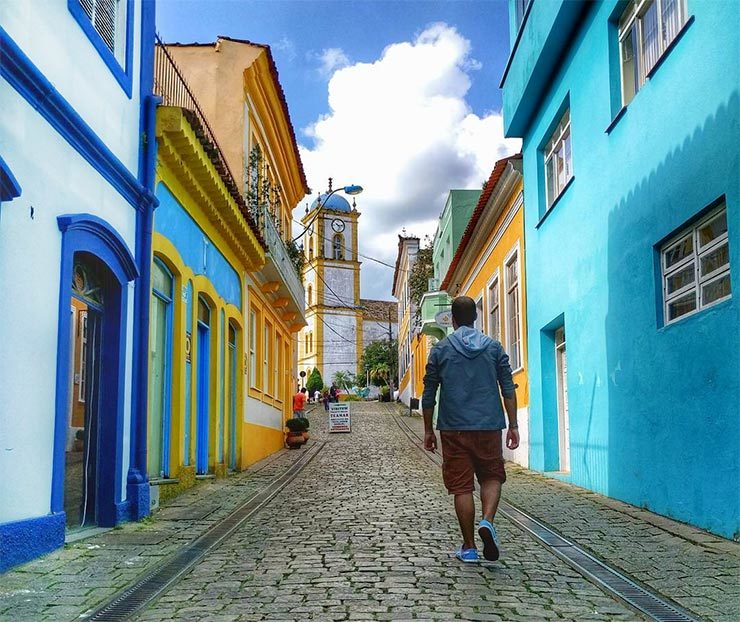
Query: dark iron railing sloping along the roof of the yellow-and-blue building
[{"x": 171, "y": 86}]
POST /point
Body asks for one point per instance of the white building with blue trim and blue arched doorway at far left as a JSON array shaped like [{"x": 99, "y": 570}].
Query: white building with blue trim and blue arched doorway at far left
[{"x": 75, "y": 210}]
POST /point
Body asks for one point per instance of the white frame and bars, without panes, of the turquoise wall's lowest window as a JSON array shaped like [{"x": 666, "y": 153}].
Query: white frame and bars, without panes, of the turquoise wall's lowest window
[{"x": 694, "y": 259}]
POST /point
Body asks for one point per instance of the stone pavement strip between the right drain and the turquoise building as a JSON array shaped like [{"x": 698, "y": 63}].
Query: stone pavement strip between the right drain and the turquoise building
[{"x": 696, "y": 569}]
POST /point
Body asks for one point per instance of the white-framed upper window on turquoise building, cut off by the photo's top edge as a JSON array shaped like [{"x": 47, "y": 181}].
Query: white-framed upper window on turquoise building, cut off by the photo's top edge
[{"x": 646, "y": 29}]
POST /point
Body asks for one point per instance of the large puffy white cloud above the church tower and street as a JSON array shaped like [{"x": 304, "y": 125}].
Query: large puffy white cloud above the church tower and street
[{"x": 401, "y": 127}]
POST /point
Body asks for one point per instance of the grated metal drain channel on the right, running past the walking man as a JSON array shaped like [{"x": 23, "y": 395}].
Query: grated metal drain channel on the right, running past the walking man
[{"x": 649, "y": 603}]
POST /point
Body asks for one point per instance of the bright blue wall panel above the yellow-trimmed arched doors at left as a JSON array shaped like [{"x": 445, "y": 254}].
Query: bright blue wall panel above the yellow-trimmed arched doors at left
[{"x": 197, "y": 250}]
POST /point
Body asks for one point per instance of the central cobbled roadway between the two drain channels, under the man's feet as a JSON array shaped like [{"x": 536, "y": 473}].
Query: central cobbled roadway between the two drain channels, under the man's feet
[{"x": 366, "y": 532}]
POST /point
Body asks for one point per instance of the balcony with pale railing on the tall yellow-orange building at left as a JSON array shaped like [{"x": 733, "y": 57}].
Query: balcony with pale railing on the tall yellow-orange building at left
[{"x": 279, "y": 269}]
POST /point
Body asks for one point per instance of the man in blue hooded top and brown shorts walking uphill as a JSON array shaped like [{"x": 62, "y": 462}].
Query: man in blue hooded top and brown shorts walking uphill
[{"x": 469, "y": 368}]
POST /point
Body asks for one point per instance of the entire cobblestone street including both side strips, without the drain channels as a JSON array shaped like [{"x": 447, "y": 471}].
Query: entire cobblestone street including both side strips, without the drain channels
[{"x": 366, "y": 531}]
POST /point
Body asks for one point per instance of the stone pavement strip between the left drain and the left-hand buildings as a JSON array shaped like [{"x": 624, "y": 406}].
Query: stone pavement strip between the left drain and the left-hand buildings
[{"x": 79, "y": 577}]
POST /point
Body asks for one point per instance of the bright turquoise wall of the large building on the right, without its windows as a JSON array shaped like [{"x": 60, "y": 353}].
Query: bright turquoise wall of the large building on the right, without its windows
[{"x": 653, "y": 409}]
